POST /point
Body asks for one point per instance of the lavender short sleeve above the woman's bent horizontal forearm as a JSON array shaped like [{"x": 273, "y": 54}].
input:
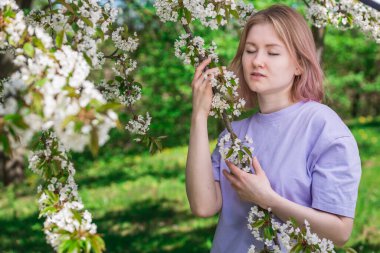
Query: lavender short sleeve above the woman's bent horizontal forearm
[{"x": 335, "y": 177}]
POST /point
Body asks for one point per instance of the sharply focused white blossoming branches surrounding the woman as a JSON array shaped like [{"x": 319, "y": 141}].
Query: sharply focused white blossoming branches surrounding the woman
[{"x": 191, "y": 49}]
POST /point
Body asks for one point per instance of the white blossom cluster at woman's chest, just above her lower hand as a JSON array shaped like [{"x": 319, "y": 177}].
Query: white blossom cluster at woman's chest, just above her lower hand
[{"x": 237, "y": 151}]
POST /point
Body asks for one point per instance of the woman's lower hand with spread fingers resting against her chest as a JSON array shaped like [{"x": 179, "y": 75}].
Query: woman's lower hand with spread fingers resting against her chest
[{"x": 254, "y": 188}]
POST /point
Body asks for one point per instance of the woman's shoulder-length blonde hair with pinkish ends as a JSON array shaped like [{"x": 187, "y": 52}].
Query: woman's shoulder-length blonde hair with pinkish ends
[{"x": 294, "y": 32}]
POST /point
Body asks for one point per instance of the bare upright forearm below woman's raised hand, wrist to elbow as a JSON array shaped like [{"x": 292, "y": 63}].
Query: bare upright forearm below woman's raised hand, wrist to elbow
[{"x": 200, "y": 184}]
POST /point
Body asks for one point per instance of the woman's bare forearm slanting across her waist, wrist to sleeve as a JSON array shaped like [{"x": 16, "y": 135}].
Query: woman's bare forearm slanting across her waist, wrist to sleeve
[{"x": 326, "y": 225}]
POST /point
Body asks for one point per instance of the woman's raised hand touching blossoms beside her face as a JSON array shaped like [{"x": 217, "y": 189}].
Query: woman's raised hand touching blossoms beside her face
[{"x": 202, "y": 89}]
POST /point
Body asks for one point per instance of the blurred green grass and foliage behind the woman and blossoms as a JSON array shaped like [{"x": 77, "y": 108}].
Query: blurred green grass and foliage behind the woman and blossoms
[{"x": 138, "y": 201}]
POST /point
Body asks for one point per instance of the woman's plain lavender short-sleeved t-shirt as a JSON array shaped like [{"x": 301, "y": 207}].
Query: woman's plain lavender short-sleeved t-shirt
[{"x": 309, "y": 156}]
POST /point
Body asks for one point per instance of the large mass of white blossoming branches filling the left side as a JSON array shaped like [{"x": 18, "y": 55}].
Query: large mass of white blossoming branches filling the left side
[{"x": 50, "y": 105}]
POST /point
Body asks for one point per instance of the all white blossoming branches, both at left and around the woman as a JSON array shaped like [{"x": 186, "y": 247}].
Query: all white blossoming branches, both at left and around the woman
[{"x": 51, "y": 105}]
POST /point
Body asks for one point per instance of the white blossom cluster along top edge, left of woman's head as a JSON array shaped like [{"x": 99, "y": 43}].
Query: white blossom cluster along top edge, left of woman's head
[{"x": 211, "y": 14}]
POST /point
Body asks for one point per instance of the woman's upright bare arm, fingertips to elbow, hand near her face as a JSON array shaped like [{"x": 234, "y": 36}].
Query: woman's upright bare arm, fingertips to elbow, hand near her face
[{"x": 203, "y": 192}]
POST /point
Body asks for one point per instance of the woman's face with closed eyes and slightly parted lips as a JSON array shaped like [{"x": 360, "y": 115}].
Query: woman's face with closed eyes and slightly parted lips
[{"x": 268, "y": 67}]
